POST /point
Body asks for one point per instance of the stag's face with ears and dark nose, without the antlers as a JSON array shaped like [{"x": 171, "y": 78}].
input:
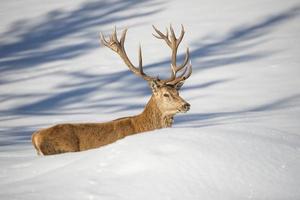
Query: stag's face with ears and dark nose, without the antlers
[{"x": 168, "y": 99}]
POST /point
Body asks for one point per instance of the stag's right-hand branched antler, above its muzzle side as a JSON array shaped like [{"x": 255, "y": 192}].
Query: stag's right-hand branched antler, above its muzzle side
[{"x": 173, "y": 43}]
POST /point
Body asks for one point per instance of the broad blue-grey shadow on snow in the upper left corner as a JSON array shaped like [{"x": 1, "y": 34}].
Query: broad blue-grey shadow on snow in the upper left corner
[{"x": 38, "y": 40}]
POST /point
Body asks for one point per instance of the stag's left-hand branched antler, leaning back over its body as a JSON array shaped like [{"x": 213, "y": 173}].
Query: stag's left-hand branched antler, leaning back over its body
[{"x": 118, "y": 46}]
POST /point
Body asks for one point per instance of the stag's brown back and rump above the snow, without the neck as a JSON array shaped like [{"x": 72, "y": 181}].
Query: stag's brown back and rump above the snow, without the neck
[{"x": 78, "y": 137}]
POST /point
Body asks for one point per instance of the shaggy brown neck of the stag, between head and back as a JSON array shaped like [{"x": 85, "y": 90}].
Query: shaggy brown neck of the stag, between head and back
[{"x": 152, "y": 118}]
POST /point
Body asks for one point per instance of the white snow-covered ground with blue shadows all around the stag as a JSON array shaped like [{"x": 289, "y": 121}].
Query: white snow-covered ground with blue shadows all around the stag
[{"x": 240, "y": 140}]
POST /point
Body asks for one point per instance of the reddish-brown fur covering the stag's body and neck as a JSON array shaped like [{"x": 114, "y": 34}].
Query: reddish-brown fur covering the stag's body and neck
[{"x": 78, "y": 137}]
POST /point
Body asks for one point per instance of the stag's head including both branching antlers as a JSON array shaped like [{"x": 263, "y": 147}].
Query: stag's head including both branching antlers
[{"x": 165, "y": 92}]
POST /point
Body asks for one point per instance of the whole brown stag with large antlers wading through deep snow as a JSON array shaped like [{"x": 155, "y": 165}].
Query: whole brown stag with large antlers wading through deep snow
[{"x": 158, "y": 113}]
